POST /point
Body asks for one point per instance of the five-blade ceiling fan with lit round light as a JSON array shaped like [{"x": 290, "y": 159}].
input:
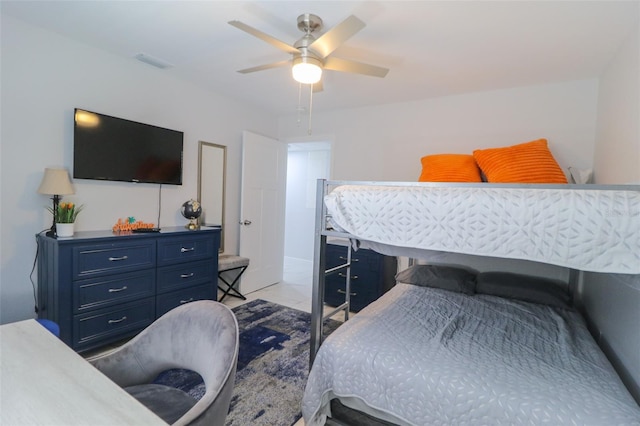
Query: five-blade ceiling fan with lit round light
[{"x": 311, "y": 54}]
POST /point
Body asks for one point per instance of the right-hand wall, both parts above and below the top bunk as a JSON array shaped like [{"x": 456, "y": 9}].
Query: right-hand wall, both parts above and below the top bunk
[{"x": 612, "y": 302}]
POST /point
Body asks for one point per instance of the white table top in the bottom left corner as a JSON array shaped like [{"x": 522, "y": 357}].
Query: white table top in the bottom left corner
[{"x": 44, "y": 382}]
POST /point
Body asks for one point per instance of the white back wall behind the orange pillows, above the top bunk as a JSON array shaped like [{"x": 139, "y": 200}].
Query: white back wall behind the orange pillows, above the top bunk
[{"x": 386, "y": 142}]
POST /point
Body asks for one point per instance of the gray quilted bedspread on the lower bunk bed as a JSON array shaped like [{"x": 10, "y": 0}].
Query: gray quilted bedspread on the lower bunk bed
[{"x": 422, "y": 356}]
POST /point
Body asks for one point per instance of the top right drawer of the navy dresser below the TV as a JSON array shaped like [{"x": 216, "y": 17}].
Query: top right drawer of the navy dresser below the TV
[{"x": 185, "y": 248}]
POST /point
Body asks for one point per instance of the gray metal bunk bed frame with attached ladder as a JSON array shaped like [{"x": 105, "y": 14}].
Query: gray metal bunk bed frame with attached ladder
[{"x": 324, "y": 231}]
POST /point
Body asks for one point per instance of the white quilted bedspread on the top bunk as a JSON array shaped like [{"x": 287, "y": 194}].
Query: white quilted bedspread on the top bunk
[{"x": 590, "y": 230}]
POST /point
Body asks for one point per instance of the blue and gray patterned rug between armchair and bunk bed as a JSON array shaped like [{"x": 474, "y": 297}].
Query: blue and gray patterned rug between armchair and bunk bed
[{"x": 273, "y": 364}]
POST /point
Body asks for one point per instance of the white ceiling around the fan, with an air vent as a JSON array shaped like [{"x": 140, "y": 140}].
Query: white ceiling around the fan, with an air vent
[{"x": 433, "y": 48}]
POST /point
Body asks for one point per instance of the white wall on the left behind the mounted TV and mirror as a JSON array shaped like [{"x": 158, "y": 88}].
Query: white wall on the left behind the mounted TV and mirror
[{"x": 44, "y": 76}]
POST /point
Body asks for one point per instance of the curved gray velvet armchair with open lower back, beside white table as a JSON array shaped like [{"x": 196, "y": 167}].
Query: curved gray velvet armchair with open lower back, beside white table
[{"x": 200, "y": 336}]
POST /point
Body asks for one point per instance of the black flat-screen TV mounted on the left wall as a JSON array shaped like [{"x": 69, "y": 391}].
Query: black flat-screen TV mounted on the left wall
[{"x": 115, "y": 149}]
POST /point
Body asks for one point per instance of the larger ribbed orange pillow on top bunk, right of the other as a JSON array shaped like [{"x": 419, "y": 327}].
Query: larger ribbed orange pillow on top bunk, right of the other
[{"x": 529, "y": 162}]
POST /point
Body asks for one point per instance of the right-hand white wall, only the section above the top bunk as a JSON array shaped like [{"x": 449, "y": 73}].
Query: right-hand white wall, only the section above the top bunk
[{"x": 617, "y": 149}]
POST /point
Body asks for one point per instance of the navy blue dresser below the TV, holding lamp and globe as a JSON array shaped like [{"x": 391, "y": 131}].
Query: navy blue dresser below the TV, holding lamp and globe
[{"x": 101, "y": 287}]
